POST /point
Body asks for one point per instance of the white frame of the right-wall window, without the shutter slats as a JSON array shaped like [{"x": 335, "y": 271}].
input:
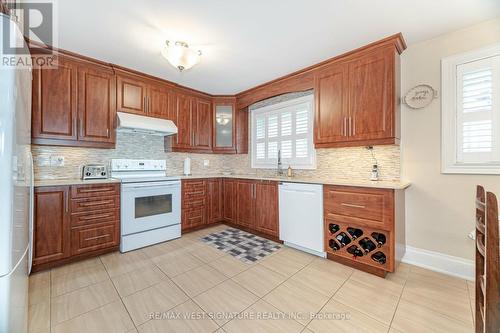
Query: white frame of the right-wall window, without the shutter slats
[{"x": 449, "y": 114}]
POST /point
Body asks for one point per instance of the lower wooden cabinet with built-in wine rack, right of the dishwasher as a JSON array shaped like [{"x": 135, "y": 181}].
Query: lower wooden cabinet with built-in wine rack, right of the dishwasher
[{"x": 370, "y": 214}]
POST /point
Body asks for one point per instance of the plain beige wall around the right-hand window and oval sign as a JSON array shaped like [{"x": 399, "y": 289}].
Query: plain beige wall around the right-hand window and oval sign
[{"x": 439, "y": 208}]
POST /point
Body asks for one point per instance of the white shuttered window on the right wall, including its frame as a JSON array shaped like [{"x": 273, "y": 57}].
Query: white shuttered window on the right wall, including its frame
[{"x": 471, "y": 112}]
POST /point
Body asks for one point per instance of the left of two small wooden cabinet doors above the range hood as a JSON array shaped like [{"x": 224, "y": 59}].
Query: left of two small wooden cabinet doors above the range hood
[{"x": 131, "y": 95}]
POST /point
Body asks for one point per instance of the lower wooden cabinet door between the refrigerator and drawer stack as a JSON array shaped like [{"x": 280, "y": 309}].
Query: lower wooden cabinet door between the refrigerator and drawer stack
[{"x": 51, "y": 225}]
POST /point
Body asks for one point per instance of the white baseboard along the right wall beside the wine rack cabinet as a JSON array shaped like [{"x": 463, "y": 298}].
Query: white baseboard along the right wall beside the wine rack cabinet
[{"x": 440, "y": 262}]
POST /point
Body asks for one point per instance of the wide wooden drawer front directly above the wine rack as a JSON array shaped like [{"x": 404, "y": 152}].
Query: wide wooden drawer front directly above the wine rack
[{"x": 362, "y": 203}]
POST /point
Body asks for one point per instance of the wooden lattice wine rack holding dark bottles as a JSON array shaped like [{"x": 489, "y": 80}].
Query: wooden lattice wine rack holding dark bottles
[{"x": 357, "y": 236}]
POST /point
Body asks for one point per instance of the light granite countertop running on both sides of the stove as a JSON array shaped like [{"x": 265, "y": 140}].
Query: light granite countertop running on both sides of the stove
[{"x": 395, "y": 185}]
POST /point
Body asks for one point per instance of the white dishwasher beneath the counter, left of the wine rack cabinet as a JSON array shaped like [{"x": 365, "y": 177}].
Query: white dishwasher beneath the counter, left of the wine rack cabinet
[{"x": 301, "y": 216}]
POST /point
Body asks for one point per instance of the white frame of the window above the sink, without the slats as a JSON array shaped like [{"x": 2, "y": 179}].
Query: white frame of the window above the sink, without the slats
[{"x": 274, "y": 108}]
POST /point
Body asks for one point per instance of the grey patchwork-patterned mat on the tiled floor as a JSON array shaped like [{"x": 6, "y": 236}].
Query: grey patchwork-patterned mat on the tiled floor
[{"x": 242, "y": 245}]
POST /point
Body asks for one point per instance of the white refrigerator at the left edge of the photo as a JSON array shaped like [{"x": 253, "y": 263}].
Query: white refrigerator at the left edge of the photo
[{"x": 16, "y": 188}]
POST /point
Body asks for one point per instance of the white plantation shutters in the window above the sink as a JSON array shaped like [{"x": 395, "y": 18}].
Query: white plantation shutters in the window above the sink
[{"x": 285, "y": 127}]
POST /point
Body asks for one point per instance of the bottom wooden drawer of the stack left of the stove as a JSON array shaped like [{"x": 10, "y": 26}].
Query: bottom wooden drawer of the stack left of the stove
[{"x": 95, "y": 238}]
